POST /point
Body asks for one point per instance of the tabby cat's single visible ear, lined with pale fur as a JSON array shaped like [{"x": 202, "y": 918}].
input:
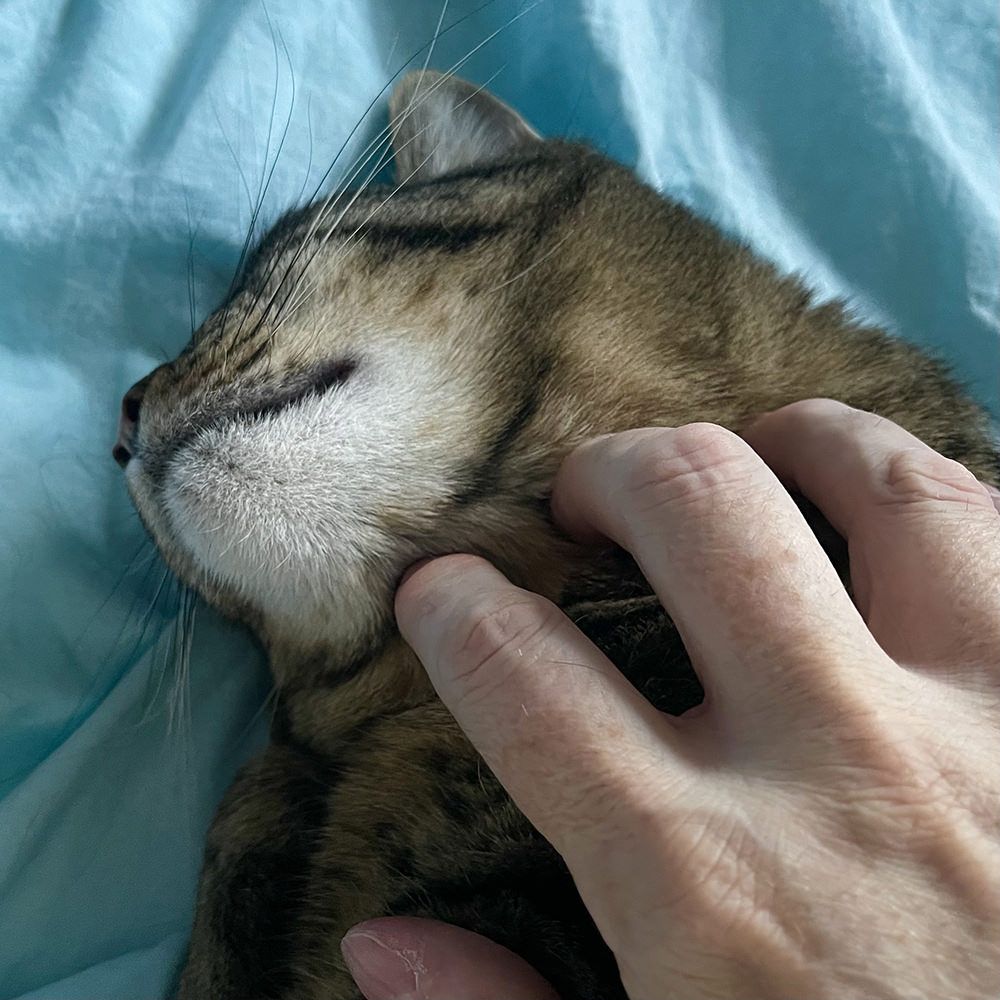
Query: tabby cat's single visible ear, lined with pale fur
[{"x": 441, "y": 123}]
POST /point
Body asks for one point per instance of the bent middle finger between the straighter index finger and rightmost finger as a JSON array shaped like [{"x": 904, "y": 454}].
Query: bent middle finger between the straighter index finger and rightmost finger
[{"x": 753, "y": 595}]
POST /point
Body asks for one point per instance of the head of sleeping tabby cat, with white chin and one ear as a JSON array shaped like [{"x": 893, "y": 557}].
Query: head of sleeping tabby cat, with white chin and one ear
[{"x": 398, "y": 374}]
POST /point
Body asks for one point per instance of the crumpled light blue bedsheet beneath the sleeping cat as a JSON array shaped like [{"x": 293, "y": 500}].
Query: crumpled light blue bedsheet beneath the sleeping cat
[{"x": 852, "y": 140}]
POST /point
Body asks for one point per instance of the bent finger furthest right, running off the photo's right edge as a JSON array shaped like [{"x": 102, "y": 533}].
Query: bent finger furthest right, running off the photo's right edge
[{"x": 923, "y": 532}]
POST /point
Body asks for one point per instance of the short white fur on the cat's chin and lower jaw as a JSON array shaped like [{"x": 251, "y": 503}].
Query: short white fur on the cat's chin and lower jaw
[{"x": 284, "y": 509}]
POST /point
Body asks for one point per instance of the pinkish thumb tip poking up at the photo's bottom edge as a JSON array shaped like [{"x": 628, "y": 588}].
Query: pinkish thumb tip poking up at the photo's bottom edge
[{"x": 408, "y": 958}]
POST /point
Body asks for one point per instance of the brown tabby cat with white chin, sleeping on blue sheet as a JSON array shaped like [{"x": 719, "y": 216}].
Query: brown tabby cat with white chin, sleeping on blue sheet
[{"x": 399, "y": 374}]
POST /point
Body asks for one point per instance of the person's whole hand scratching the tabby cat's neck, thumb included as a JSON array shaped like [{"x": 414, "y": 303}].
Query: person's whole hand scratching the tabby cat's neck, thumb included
[{"x": 827, "y": 823}]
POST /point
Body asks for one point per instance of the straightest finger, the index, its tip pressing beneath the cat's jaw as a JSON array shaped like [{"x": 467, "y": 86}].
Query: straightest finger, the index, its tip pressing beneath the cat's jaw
[{"x": 561, "y": 728}]
